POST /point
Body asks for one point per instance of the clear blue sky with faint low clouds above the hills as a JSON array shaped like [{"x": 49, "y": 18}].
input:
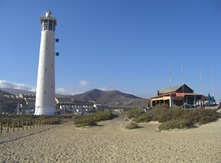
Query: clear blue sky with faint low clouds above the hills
[{"x": 124, "y": 45}]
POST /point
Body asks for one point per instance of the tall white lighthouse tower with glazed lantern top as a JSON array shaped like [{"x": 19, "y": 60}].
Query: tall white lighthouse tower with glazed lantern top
[{"x": 45, "y": 91}]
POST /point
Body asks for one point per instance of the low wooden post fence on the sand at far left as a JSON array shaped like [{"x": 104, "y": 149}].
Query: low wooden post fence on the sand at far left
[{"x": 22, "y": 125}]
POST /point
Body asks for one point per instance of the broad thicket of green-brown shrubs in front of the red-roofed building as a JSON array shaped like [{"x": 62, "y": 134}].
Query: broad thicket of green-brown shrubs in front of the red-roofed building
[{"x": 174, "y": 117}]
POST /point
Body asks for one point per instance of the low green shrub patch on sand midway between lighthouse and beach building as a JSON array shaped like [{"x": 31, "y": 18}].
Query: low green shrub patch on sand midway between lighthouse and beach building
[{"x": 92, "y": 119}]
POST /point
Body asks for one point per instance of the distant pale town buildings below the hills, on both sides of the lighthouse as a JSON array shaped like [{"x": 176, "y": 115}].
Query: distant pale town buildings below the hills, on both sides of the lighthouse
[{"x": 11, "y": 104}]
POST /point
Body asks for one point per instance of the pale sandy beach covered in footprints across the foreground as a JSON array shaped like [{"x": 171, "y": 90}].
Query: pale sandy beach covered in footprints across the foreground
[{"x": 111, "y": 142}]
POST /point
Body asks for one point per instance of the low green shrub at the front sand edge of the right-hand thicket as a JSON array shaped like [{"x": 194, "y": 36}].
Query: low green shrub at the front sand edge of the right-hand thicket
[{"x": 180, "y": 124}]
